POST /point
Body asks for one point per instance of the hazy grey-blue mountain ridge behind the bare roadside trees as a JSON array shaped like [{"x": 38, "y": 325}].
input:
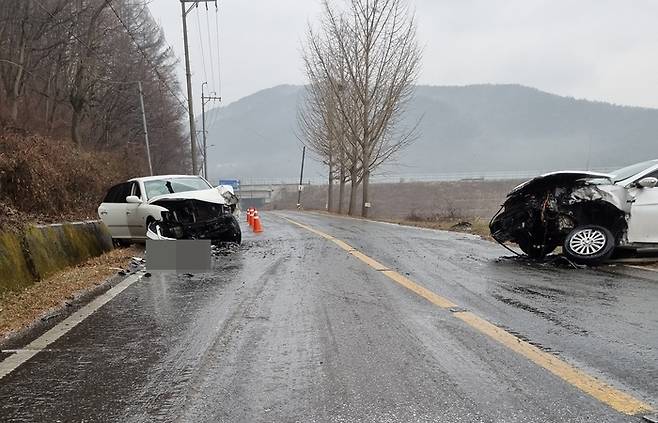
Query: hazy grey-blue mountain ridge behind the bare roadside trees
[{"x": 471, "y": 128}]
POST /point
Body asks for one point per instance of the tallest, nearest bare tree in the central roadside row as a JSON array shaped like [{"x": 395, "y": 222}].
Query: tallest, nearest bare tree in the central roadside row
[{"x": 369, "y": 57}]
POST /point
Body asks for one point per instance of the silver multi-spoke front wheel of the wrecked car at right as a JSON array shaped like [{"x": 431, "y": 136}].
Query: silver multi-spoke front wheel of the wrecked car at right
[{"x": 589, "y": 244}]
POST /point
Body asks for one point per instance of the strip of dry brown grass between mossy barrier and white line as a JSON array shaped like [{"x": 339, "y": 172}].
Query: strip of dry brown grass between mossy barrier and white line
[{"x": 20, "y": 309}]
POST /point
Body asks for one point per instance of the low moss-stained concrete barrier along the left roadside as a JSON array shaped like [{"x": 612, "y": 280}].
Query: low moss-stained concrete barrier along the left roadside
[{"x": 40, "y": 251}]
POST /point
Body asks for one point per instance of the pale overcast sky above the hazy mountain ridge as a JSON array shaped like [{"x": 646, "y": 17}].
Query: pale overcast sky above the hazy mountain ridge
[{"x": 596, "y": 49}]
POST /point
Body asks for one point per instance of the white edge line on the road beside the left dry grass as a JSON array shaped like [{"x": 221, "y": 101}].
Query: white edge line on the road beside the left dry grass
[{"x": 15, "y": 360}]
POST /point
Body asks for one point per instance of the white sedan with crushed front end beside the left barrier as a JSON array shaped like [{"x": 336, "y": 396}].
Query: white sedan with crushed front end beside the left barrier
[{"x": 171, "y": 207}]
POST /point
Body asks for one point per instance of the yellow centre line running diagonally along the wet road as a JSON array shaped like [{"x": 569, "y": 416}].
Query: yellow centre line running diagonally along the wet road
[{"x": 614, "y": 398}]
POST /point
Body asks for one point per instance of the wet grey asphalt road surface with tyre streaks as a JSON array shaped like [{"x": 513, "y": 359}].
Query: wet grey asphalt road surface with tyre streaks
[{"x": 292, "y": 328}]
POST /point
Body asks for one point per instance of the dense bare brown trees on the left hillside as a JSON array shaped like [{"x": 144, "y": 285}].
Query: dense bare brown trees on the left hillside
[{"x": 69, "y": 68}]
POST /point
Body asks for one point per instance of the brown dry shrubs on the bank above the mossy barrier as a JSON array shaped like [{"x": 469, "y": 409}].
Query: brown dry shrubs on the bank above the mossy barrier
[{"x": 43, "y": 180}]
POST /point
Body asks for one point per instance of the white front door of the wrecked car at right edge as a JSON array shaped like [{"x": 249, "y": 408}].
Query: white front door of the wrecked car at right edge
[{"x": 643, "y": 222}]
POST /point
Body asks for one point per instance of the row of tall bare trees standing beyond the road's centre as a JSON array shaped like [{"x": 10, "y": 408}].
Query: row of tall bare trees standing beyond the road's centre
[{"x": 361, "y": 63}]
